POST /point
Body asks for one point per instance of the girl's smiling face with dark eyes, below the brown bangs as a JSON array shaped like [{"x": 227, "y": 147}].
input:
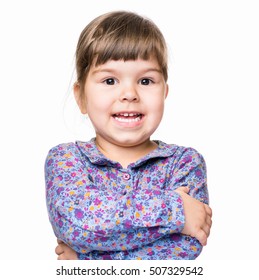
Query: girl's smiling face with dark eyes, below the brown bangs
[{"x": 124, "y": 100}]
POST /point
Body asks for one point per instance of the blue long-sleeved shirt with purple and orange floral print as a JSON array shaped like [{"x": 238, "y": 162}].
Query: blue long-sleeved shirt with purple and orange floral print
[{"x": 104, "y": 211}]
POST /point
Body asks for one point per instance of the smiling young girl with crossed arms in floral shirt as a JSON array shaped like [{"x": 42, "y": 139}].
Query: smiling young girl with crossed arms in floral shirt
[{"x": 122, "y": 195}]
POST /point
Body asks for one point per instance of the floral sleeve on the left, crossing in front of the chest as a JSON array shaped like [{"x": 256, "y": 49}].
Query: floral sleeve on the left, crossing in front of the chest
[{"x": 88, "y": 218}]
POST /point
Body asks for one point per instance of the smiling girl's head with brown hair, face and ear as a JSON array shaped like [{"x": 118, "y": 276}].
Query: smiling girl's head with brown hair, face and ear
[{"x": 121, "y": 63}]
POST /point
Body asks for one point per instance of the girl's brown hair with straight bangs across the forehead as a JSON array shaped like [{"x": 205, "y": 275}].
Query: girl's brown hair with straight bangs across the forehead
[{"x": 119, "y": 35}]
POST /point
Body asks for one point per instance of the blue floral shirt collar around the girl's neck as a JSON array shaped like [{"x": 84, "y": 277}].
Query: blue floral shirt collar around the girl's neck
[{"x": 90, "y": 150}]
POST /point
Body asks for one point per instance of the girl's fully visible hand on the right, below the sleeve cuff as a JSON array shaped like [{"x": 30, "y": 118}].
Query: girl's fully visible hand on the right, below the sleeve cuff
[{"x": 197, "y": 216}]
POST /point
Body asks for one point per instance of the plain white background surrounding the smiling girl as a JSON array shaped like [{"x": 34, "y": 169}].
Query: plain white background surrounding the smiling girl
[{"x": 212, "y": 106}]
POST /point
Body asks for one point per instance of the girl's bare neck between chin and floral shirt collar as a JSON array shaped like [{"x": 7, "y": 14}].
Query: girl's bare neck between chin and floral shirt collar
[{"x": 125, "y": 155}]
